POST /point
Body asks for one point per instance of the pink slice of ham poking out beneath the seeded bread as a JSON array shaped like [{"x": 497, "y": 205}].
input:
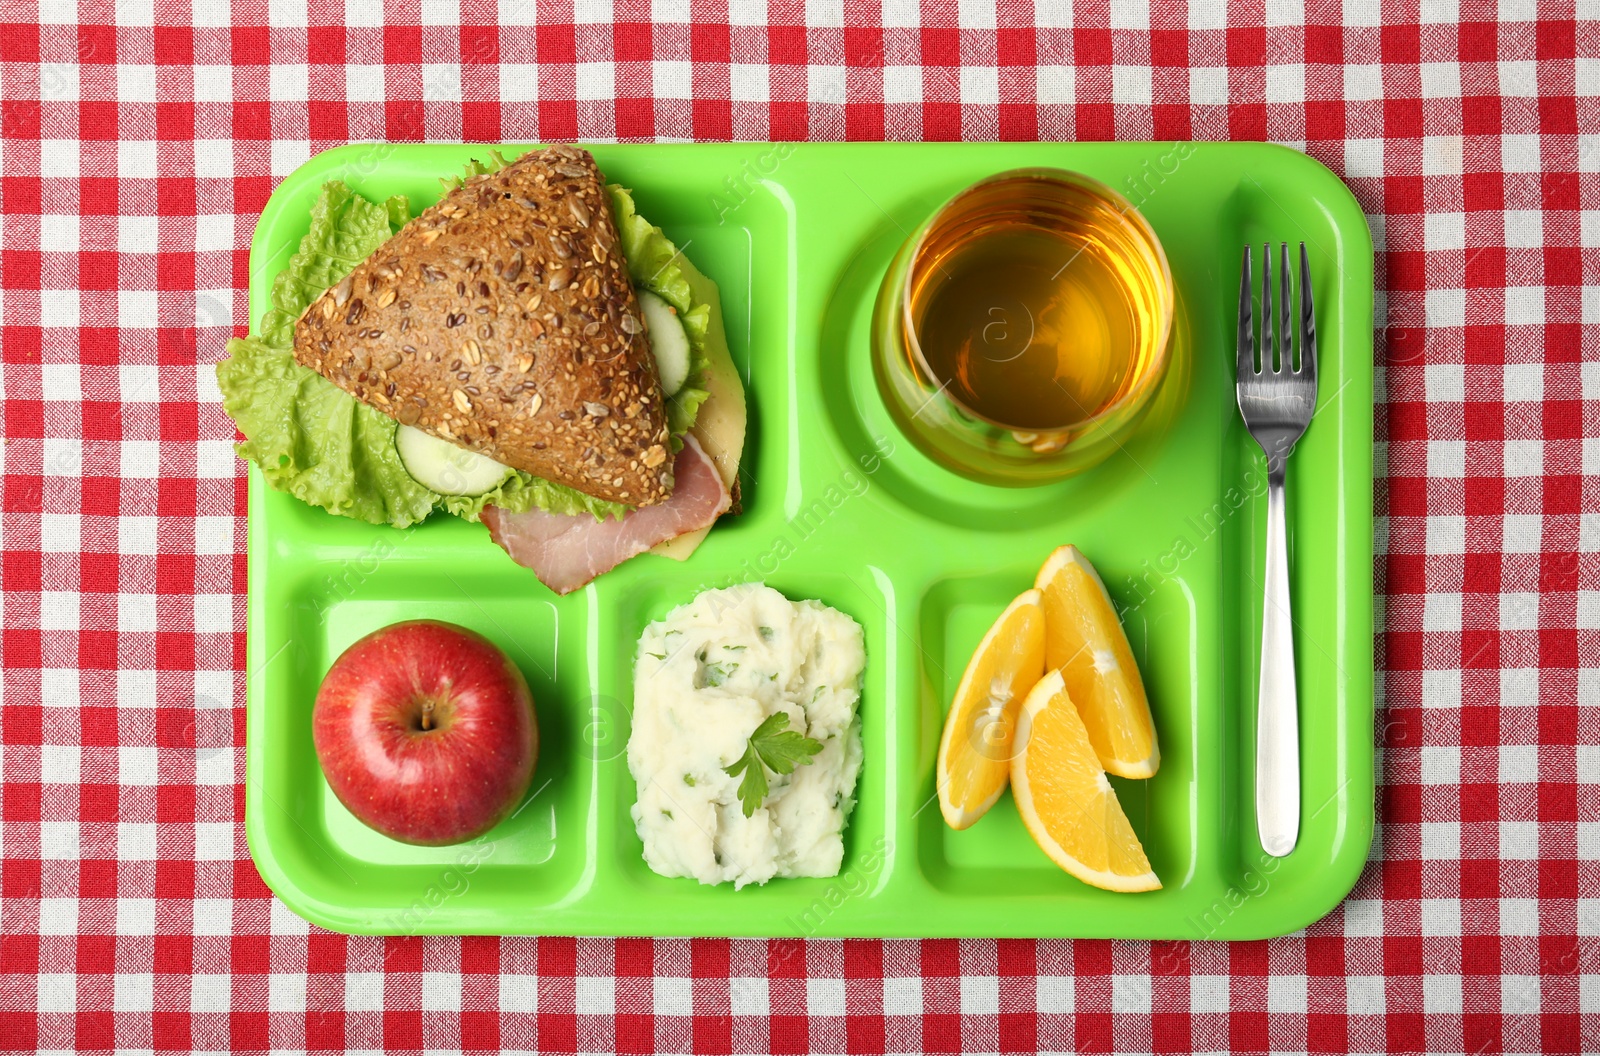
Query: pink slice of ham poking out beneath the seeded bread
[{"x": 569, "y": 551}]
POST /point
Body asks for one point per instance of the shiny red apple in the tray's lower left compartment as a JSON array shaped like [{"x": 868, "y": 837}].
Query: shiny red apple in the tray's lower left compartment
[{"x": 426, "y": 732}]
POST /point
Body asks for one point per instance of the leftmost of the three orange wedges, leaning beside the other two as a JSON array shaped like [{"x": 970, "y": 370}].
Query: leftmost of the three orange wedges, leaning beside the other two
[{"x": 975, "y": 753}]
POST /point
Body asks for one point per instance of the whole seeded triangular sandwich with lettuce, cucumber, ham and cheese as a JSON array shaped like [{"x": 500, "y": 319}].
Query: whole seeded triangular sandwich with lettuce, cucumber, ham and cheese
[{"x": 529, "y": 354}]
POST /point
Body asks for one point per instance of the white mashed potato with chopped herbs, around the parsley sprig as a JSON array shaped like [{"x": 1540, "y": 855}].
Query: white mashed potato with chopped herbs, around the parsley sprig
[{"x": 705, "y": 679}]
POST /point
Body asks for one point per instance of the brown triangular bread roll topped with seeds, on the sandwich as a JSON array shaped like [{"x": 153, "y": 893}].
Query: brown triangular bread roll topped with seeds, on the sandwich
[{"x": 503, "y": 319}]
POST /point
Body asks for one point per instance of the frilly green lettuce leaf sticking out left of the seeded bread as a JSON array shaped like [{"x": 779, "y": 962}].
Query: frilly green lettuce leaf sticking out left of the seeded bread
[{"x": 318, "y": 442}]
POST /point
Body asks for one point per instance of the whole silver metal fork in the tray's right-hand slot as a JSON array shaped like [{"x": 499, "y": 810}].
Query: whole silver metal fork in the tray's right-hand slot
[{"x": 1276, "y": 401}]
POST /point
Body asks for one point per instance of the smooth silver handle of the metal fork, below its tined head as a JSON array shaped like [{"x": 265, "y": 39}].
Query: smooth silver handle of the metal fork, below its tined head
[{"x": 1278, "y": 722}]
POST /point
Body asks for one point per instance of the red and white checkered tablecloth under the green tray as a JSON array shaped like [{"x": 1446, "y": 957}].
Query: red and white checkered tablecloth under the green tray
[{"x": 140, "y": 143}]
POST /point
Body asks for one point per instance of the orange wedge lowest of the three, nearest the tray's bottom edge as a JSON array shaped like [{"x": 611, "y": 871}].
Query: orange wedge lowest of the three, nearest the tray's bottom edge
[{"x": 1065, "y": 799}]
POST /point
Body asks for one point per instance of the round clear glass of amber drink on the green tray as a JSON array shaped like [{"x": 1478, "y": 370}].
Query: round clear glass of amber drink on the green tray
[{"x": 1023, "y": 330}]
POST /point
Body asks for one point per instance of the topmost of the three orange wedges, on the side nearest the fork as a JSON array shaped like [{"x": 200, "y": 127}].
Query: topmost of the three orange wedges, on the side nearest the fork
[{"x": 1086, "y": 641}]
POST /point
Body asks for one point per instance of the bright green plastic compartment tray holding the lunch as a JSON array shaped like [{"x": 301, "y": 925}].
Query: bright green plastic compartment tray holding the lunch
[{"x": 838, "y": 506}]
